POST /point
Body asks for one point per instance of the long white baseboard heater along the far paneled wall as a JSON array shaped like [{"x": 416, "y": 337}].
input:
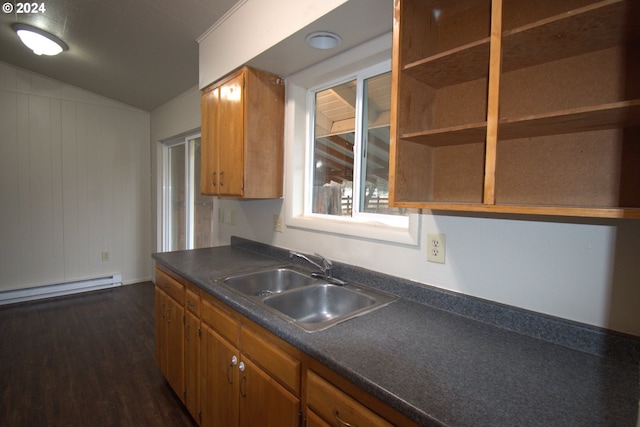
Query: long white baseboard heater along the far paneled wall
[{"x": 69, "y": 288}]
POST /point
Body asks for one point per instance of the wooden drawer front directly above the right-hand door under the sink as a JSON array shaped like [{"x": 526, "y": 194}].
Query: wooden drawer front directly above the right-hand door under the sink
[{"x": 265, "y": 351}]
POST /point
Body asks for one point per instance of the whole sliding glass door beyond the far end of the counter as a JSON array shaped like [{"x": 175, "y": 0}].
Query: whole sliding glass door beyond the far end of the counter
[{"x": 188, "y": 216}]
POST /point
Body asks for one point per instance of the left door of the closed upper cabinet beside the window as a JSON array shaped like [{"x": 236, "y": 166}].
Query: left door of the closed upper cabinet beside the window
[{"x": 210, "y": 135}]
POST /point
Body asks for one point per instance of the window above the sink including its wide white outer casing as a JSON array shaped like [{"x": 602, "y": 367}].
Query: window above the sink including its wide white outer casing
[{"x": 370, "y": 217}]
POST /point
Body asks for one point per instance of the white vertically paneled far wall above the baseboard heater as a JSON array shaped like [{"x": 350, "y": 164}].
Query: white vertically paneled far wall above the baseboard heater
[{"x": 74, "y": 183}]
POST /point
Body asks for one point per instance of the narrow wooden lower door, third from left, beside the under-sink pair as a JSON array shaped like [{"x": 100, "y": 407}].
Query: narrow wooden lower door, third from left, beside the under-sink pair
[{"x": 192, "y": 363}]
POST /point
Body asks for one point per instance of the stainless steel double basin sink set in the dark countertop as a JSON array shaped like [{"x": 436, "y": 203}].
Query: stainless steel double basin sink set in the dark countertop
[{"x": 312, "y": 304}]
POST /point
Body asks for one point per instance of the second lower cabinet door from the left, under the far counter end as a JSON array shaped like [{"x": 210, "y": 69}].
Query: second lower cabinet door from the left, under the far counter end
[{"x": 175, "y": 347}]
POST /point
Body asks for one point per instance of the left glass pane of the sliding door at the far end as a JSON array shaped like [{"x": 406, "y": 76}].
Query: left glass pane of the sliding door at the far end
[{"x": 176, "y": 198}]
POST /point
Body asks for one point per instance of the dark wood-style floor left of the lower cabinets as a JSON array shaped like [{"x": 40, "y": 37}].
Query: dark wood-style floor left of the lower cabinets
[{"x": 84, "y": 360}]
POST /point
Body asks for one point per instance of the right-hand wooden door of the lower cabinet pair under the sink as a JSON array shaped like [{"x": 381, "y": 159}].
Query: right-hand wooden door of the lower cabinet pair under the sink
[{"x": 264, "y": 402}]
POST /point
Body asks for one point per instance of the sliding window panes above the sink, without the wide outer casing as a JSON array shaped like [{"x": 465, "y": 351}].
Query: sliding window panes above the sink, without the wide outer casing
[{"x": 349, "y": 165}]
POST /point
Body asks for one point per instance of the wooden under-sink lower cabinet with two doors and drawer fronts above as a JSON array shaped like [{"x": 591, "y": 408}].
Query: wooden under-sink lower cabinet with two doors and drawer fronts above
[{"x": 238, "y": 389}]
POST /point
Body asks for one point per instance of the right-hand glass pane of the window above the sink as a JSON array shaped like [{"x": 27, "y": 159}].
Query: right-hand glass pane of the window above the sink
[{"x": 374, "y": 192}]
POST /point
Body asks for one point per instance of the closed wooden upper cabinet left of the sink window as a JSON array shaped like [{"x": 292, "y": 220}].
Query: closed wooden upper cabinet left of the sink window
[{"x": 243, "y": 135}]
